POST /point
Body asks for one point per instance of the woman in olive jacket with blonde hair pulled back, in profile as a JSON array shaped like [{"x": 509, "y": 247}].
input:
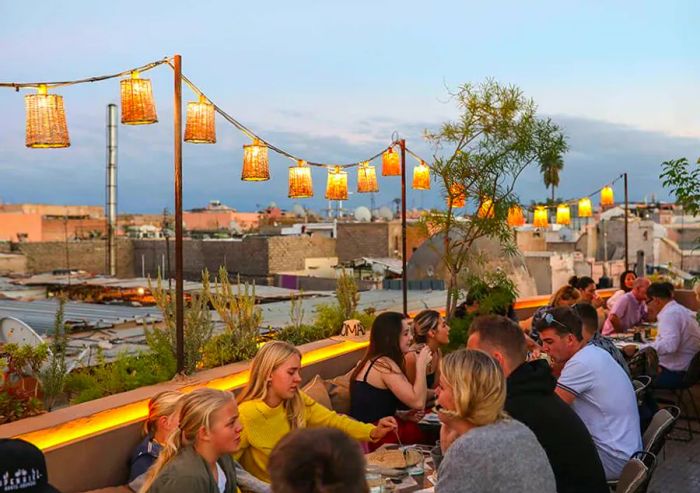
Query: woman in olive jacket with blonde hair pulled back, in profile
[{"x": 197, "y": 456}]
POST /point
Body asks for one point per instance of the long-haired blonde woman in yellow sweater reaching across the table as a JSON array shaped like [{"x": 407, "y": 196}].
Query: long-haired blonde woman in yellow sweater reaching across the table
[{"x": 272, "y": 405}]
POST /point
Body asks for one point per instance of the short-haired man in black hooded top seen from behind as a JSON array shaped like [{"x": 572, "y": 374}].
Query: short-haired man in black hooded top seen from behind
[{"x": 531, "y": 399}]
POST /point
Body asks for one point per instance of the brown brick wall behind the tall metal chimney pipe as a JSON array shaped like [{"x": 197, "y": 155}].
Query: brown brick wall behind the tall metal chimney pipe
[{"x": 87, "y": 255}]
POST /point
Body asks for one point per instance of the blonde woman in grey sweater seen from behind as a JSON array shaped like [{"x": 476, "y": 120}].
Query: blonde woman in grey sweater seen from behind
[{"x": 484, "y": 450}]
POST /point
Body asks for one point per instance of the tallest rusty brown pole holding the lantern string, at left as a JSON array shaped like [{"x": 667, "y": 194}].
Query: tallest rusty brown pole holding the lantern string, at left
[{"x": 179, "y": 282}]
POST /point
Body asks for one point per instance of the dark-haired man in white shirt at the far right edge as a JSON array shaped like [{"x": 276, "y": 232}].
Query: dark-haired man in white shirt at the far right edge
[{"x": 678, "y": 338}]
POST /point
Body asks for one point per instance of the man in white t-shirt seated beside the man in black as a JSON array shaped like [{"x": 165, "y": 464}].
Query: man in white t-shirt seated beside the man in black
[{"x": 596, "y": 387}]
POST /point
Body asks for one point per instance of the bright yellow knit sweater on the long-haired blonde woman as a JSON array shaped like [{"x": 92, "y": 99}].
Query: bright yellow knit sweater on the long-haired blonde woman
[{"x": 264, "y": 426}]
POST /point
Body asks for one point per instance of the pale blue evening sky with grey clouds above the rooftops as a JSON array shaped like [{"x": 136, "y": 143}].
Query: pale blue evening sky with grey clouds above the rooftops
[{"x": 331, "y": 81}]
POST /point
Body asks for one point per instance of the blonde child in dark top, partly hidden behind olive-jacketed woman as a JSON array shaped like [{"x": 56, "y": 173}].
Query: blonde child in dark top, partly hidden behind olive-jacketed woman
[{"x": 162, "y": 420}]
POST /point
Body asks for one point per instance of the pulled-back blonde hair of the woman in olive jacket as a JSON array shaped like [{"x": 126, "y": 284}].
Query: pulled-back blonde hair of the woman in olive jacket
[{"x": 196, "y": 412}]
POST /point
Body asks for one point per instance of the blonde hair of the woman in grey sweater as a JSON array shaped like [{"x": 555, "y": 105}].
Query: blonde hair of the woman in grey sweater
[{"x": 478, "y": 386}]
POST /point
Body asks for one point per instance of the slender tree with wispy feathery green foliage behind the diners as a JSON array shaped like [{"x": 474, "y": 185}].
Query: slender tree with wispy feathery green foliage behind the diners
[{"x": 480, "y": 156}]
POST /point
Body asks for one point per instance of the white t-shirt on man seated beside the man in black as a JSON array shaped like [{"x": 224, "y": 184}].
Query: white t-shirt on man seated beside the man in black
[{"x": 606, "y": 403}]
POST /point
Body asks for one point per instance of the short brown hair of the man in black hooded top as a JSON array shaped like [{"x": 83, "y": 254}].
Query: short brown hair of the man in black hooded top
[{"x": 501, "y": 332}]
